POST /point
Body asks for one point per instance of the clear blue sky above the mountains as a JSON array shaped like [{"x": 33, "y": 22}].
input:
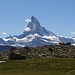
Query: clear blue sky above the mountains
[{"x": 57, "y": 16}]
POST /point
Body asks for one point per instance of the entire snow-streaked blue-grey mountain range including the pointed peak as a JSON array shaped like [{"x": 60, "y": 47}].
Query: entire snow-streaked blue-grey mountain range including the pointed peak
[{"x": 34, "y": 35}]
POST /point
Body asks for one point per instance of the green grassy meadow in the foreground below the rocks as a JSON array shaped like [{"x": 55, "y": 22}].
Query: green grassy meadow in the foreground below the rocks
[{"x": 57, "y": 66}]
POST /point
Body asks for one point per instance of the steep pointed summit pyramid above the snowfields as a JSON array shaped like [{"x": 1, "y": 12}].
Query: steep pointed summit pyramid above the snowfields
[{"x": 35, "y": 27}]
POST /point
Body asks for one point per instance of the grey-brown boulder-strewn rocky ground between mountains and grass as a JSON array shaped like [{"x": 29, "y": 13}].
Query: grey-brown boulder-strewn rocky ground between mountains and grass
[{"x": 48, "y": 51}]
